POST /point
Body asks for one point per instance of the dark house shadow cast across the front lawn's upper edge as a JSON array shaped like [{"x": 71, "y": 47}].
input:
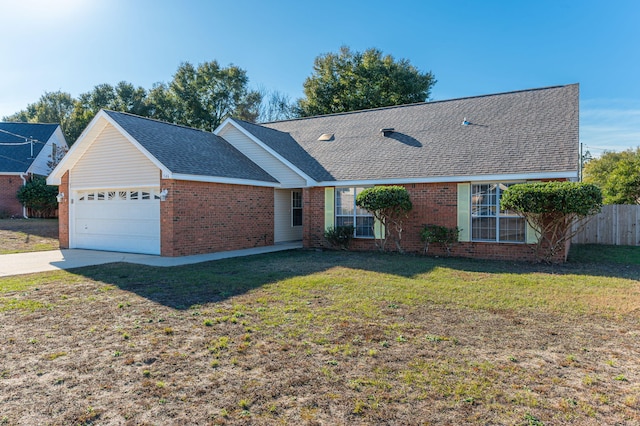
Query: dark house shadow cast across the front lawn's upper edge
[{"x": 184, "y": 286}]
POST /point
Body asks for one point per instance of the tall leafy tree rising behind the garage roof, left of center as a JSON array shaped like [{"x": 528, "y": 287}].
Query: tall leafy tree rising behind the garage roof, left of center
[{"x": 208, "y": 94}]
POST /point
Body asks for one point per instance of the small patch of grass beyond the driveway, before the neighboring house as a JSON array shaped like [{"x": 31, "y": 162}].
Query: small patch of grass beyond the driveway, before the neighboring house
[{"x": 28, "y": 235}]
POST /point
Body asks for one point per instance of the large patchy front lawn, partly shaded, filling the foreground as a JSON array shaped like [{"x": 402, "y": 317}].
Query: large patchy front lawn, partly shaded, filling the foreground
[{"x": 323, "y": 338}]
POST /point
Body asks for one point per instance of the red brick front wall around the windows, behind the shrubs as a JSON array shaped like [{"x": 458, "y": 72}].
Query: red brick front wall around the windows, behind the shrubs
[{"x": 432, "y": 204}]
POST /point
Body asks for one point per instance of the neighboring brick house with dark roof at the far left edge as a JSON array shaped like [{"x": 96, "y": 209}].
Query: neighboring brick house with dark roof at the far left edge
[{"x": 26, "y": 149}]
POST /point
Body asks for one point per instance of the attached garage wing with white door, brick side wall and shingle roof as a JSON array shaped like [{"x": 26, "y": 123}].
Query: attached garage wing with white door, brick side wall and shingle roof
[{"x": 136, "y": 185}]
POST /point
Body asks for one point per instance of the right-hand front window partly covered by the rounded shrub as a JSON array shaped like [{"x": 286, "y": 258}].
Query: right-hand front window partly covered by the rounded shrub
[{"x": 488, "y": 221}]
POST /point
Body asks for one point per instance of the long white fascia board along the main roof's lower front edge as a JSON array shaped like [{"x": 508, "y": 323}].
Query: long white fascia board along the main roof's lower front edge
[{"x": 453, "y": 179}]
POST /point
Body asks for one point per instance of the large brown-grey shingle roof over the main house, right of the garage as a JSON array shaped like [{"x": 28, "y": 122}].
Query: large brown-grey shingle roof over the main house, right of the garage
[{"x": 530, "y": 131}]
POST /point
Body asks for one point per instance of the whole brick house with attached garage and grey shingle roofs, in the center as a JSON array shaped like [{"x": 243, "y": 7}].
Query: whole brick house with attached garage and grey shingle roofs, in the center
[{"x": 140, "y": 185}]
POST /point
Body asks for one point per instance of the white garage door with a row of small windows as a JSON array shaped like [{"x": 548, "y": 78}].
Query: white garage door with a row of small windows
[{"x": 117, "y": 220}]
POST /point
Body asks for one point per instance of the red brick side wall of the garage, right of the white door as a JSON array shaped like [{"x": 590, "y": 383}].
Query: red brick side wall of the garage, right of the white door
[{"x": 200, "y": 217}]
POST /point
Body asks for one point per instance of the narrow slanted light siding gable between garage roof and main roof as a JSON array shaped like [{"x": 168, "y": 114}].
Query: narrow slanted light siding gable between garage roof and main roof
[{"x": 267, "y": 161}]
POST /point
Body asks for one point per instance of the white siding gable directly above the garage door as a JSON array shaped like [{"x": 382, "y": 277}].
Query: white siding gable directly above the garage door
[{"x": 113, "y": 162}]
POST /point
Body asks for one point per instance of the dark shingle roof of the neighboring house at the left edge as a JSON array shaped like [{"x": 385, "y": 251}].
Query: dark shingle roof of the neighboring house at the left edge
[{"x": 17, "y": 158}]
